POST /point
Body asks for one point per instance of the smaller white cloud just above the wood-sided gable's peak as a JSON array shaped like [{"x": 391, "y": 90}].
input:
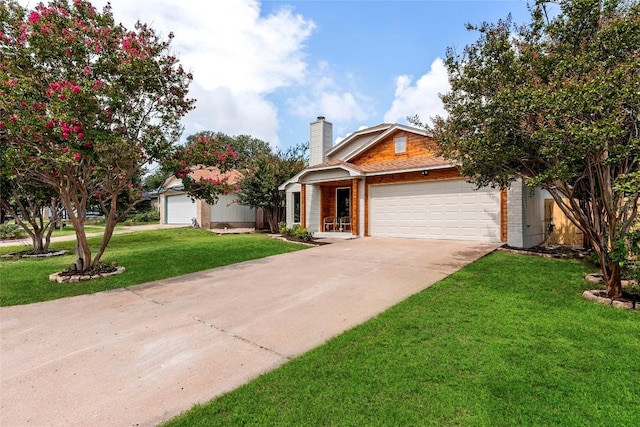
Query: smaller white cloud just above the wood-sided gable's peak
[{"x": 422, "y": 98}]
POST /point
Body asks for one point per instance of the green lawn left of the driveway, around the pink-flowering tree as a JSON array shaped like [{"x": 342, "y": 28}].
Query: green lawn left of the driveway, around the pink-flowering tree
[{"x": 146, "y": 256}]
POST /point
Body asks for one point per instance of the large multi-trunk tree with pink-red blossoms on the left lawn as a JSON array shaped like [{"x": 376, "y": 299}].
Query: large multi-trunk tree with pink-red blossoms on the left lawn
[{"x": 85, "y": 105}]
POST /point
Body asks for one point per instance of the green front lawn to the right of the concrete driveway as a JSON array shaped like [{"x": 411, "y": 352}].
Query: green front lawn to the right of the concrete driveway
[{"x": 506, "y": 341}]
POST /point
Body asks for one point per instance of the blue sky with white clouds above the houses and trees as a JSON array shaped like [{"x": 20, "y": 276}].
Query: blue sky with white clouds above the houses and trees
[{"x": 268, "y": 68}]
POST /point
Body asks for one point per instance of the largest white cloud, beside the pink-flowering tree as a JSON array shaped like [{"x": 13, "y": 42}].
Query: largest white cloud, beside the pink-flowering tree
[{"x": 237, "y": 57}]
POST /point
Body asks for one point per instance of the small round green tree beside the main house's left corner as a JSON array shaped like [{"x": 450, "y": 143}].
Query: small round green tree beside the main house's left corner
[{"x": 259, "y": 187}]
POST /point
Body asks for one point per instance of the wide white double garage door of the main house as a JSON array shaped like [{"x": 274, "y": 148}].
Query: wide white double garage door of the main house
[{"x": 450, "y": 210}]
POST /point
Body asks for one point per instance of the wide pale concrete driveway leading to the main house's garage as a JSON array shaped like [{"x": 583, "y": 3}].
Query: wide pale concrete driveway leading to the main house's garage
[{"x": 141, "y": 355}]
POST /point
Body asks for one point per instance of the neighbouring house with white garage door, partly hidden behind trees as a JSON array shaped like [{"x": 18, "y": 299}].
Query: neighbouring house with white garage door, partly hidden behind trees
[{"x": 176, "y": 207}]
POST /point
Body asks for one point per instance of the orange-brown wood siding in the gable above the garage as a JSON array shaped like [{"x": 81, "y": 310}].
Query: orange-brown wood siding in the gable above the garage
[{"x": 417, "y": 146}]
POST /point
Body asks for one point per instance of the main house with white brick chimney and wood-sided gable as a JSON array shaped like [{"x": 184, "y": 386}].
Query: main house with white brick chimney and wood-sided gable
[{"x": 387, "y": 181}]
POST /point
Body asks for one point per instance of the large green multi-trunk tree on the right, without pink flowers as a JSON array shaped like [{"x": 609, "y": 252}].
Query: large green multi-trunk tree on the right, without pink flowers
[{"x": 556, "y": 103}]
